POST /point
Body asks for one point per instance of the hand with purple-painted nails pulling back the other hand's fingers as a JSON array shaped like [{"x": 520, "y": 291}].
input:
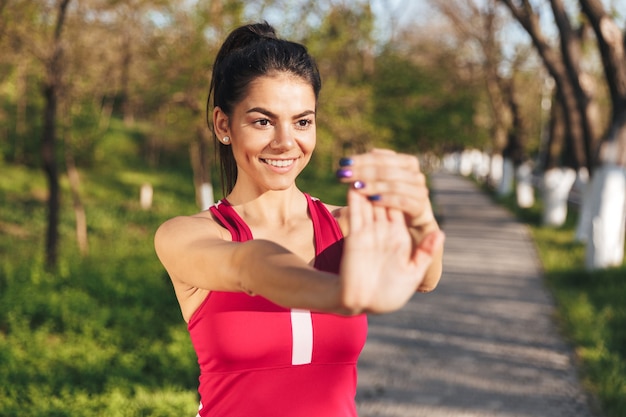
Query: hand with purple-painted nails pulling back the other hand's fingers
[{"x": 392, "y": 180}]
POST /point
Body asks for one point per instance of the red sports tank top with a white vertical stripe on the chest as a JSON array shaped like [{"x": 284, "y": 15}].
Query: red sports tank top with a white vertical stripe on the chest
[{"x": 258, "y": 359}]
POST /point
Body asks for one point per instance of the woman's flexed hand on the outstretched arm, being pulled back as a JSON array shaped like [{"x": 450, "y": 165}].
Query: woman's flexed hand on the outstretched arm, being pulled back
[{"x": 381, "y": 268}]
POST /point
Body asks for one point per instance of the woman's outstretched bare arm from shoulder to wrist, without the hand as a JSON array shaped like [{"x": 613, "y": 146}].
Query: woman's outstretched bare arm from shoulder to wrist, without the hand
[{"x": 196, "y": 256}]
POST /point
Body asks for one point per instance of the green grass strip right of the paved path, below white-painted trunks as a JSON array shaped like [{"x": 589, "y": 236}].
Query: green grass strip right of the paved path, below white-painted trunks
[{"x": 591, "y": 307}]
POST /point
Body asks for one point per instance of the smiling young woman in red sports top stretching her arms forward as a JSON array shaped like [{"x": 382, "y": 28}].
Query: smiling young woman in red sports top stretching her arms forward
[{"x": 273, "y": 284}]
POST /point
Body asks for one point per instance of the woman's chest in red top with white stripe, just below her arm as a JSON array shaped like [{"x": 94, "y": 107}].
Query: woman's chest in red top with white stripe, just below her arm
[{"x": 243, "y": 333}]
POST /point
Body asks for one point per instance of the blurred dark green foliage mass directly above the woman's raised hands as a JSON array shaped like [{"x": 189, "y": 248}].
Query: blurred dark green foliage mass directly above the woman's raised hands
[{"x": 425, "y": 107}]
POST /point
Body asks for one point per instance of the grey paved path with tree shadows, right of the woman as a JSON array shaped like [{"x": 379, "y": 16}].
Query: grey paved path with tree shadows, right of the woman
[{"x": 484, "y": 344}]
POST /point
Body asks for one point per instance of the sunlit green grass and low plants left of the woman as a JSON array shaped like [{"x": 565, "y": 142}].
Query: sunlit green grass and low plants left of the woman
[{"x": 103, "y": 334}]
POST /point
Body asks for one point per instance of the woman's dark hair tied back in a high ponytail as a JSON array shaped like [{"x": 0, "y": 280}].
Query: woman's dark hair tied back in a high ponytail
[{"x": 249, "y": 52}]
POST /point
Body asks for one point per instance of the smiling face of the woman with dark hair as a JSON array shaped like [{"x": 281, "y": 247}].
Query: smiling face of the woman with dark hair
[{"x": 272, "y": 131}]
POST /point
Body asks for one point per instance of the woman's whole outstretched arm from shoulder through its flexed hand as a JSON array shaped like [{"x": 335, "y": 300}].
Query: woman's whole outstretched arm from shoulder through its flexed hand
[{"x": 379, "y": 270}]
